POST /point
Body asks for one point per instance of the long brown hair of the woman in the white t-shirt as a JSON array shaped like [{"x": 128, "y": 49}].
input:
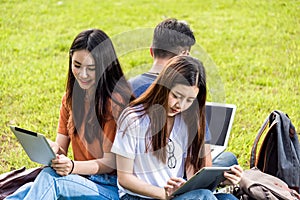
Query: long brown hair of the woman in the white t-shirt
[{"x": 179, "y": 70}]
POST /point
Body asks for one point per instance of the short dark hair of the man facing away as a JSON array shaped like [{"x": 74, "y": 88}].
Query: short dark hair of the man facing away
[{"x": 170, "y": 37}]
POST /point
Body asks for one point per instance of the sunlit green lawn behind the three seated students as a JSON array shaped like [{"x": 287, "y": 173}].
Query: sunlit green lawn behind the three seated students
[{"x": 252, "y": 55}]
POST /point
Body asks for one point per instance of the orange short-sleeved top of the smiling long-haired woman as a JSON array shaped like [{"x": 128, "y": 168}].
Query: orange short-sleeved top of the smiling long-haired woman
[{"x": 82, "y": 150}]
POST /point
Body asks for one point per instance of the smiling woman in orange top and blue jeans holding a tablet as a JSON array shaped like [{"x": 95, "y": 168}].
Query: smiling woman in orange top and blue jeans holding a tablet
[{"x": 96, "y": 93}]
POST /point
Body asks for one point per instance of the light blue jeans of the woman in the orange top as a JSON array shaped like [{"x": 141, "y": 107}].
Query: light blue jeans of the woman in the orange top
[{"x": 50, "y": 185}]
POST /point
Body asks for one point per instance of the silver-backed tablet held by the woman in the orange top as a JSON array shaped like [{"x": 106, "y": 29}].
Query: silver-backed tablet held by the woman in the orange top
[{"x": 35, "y": 145}]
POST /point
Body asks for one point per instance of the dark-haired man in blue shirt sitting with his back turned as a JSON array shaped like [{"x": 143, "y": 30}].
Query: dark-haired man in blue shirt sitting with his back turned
[{"x": 173, "y": 37}]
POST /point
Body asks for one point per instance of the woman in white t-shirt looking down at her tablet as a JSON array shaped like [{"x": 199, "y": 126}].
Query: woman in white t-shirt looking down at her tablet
[{"x": 161, "y": 136}]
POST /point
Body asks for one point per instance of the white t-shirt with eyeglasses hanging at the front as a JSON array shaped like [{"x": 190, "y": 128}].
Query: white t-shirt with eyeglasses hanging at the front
[{"x": 131, "y": 144}]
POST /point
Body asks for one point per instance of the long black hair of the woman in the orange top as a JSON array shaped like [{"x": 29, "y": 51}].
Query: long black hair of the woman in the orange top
[{"x": 109, "y": 79}]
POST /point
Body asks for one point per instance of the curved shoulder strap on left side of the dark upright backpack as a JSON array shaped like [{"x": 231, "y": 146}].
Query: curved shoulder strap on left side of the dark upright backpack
[{"x": 268, "y": 121}]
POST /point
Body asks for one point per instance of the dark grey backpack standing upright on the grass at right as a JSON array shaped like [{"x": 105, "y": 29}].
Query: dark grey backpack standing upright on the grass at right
[{"x": 279, "y": 153}]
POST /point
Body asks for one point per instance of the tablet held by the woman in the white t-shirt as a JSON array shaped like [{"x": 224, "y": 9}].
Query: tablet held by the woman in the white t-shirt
[{"x": 205, "y": 178}]
